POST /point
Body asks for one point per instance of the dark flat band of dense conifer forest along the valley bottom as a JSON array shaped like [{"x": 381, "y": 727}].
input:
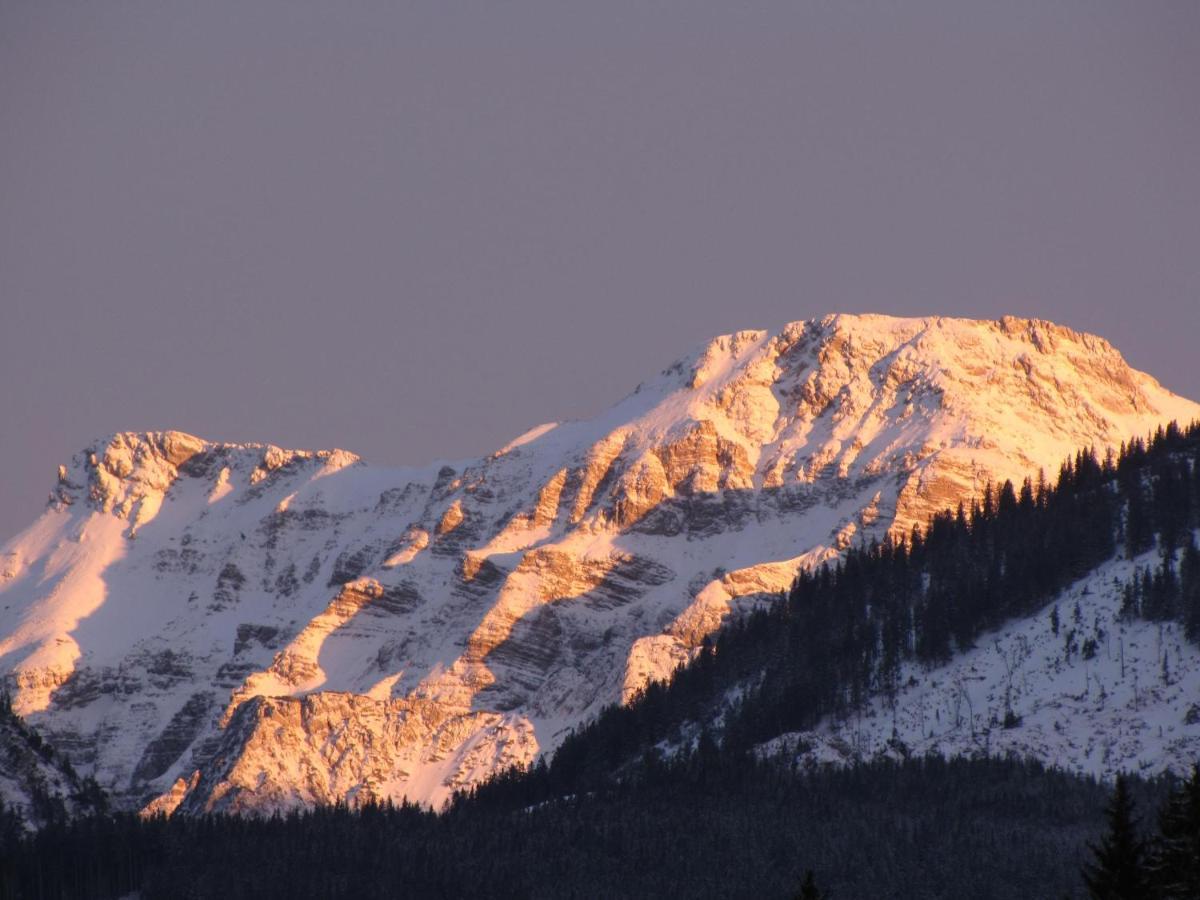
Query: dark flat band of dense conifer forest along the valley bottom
[{"x": 698, "y": 825}]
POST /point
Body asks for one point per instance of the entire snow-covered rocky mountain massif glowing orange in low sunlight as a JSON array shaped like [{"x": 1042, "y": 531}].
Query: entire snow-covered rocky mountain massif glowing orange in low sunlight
[{"x": 214, "y": 627}]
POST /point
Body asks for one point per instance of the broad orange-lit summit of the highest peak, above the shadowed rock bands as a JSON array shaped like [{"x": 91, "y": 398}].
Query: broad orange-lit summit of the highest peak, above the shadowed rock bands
[{"x": 859, "y": 395}]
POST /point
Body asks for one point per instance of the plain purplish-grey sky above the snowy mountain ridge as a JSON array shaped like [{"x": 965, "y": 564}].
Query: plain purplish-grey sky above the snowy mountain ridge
[{"x": 416, "y": 230}]
